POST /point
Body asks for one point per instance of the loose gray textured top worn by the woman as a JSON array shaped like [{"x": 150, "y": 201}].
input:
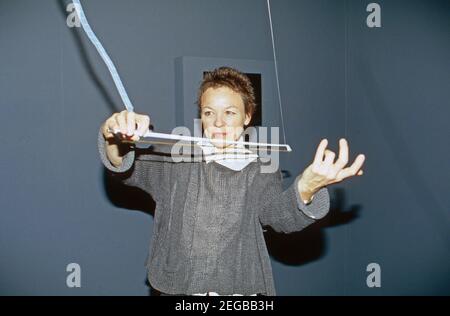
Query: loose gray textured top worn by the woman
[{"x": 207, "y": 230}]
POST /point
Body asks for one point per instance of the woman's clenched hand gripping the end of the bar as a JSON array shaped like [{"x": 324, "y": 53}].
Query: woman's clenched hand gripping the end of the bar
[{"x": 130, "y": 125}]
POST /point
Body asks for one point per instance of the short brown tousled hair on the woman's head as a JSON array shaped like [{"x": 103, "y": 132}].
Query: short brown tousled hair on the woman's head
[{"x": 233, "y": 79}]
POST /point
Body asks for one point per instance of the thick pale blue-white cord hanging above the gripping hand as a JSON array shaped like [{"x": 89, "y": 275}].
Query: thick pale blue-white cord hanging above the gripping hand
[{"x": 112, "y": 69}]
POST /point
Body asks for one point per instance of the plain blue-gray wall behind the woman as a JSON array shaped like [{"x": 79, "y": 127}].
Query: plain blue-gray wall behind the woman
[{"x": 386, "y": 90}]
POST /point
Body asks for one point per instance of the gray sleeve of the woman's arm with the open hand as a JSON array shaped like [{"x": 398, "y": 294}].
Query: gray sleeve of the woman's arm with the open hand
[{"x": 285, "y": 211}]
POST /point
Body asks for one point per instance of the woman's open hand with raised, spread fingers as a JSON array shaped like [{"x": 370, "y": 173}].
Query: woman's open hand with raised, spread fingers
[{"x": 323, "y": 171}]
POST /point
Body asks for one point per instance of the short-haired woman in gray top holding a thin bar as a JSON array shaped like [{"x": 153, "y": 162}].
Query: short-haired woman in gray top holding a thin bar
[{"x": 207, "y": 235}]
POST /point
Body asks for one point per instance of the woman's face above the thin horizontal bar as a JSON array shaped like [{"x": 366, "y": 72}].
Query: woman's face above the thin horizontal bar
[{"x": 223, "y": 115}]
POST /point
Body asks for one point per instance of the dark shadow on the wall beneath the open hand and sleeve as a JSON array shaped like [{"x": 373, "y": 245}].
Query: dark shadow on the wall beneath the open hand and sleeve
[{"x": 309, "y": 244}]
